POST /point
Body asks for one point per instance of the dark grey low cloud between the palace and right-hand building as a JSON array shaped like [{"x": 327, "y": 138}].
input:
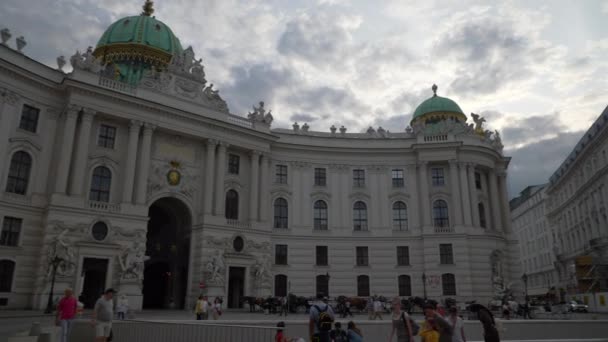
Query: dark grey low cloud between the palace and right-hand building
[{"x": 534, "y": 163}]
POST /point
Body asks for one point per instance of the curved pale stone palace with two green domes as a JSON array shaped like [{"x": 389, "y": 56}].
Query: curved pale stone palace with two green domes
[{"x": 130, "y": 172}]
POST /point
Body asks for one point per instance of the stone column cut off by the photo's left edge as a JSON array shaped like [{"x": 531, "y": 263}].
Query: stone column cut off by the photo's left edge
[{"x": 9, "y": 106}]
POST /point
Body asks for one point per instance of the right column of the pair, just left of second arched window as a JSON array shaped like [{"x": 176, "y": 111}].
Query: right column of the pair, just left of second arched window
[{"x": 79, "y": 166}]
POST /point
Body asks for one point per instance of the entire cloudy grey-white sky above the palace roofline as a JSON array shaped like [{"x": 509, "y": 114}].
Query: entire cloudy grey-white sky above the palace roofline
[{"x": 535, "y": 69}]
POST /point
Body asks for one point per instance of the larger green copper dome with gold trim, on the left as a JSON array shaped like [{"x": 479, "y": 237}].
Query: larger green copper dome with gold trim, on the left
[{"x": 136, "y": 44}]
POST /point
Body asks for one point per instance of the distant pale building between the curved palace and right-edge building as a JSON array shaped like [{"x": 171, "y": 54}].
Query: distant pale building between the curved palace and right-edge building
[{"x": 535, "y": 237}]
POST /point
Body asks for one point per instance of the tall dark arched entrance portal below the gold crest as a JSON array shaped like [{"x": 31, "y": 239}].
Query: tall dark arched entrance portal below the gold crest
[{"x": 168, "y": 246}]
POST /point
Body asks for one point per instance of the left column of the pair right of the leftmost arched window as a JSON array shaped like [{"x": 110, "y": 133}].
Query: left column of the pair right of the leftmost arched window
[{"x": 67, "y": 143}]
